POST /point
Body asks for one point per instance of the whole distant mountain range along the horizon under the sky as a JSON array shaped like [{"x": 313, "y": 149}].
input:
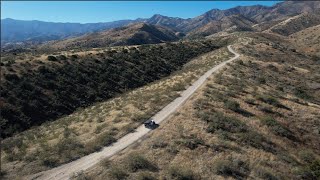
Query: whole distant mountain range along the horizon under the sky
[{"x": 213, "y": 21}]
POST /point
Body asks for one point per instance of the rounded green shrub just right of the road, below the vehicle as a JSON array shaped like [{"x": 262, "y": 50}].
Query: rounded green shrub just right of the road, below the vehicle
[{"x": 137, "y": 162}]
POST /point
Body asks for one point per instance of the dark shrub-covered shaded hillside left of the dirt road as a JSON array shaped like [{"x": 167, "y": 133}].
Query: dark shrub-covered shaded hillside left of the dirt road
[{"x": 36, "y": 91}]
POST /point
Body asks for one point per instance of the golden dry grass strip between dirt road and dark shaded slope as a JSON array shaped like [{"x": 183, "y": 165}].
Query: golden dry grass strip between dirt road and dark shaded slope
[{"x": 87, "y": 130}]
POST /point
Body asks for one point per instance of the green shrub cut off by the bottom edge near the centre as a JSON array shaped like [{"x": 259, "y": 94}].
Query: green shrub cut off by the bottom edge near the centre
[{"x": 181, "y": 173}]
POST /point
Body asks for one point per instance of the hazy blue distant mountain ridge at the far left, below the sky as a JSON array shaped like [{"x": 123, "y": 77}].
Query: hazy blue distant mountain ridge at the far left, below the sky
[{"x": 39, "y": 31}]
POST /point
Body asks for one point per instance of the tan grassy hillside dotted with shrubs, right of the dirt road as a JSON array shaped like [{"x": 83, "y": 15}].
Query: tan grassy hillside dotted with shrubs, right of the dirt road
[{"x": 258, "y": 118}]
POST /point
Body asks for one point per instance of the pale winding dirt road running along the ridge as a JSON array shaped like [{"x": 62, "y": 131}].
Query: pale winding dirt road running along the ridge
[{"x": 84, "y": 163}]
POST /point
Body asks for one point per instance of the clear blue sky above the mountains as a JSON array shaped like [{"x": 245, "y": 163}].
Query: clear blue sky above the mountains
[{"x": 104, "y": 11}]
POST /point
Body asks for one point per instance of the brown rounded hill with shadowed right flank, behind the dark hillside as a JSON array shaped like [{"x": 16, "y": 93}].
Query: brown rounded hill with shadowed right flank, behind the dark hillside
[{"x": 134, "y": 34}]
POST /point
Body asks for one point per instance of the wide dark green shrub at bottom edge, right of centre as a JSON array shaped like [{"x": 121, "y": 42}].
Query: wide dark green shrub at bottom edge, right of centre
[{"x": 235, "y": 168}]
